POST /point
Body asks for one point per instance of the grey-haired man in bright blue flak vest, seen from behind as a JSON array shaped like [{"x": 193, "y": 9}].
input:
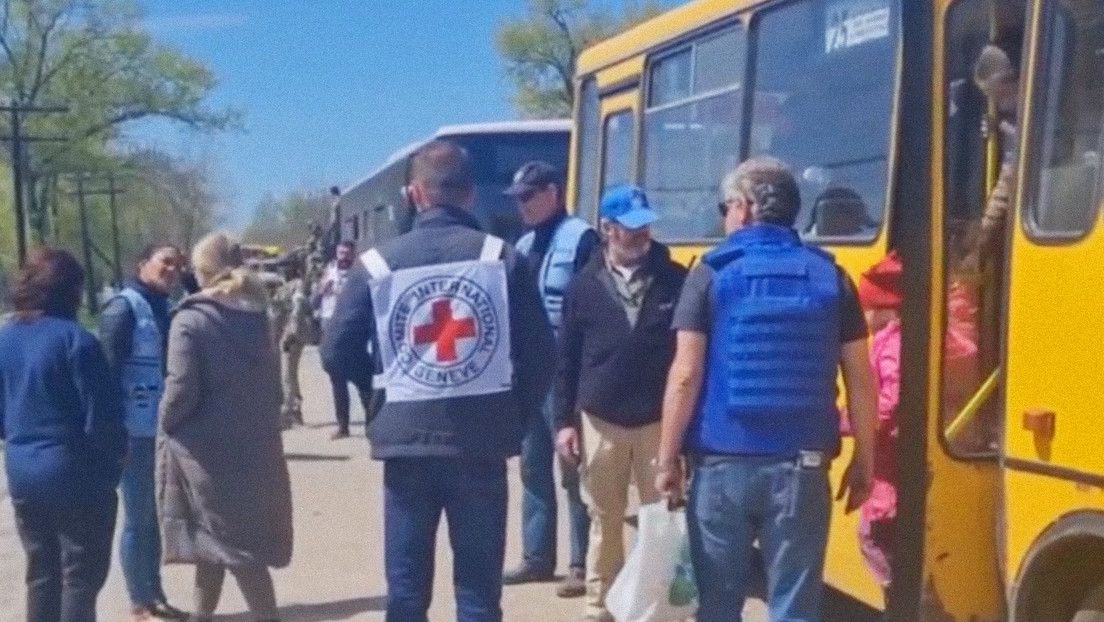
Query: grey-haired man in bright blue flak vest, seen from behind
[{"x": 763, "y": 326}]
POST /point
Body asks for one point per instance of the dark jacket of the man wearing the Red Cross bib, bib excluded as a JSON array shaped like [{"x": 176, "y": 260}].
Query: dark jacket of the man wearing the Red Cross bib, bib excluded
[{"x": 472, "y": 427}]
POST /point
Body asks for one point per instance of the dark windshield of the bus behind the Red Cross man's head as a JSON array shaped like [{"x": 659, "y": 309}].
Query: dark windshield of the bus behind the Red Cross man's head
[{"x": 495, "y": 159}]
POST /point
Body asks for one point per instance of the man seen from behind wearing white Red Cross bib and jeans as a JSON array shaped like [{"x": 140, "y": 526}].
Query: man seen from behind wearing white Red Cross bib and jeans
[{"x": 461, "y": 345}]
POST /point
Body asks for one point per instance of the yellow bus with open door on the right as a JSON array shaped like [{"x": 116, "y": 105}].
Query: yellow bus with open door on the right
[{"x": 874, "y": 104}]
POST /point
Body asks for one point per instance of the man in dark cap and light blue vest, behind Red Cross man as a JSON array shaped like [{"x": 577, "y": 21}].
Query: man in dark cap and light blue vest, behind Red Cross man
[{"x": 557, "y": 249}]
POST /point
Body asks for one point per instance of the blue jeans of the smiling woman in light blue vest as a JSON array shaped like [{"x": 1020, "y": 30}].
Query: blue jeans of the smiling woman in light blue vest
[{"x": 141, "y": 542}]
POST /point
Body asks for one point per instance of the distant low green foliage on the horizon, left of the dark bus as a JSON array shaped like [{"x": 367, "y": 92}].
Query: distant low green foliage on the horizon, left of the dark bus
[{"x": 284, "y": 222}]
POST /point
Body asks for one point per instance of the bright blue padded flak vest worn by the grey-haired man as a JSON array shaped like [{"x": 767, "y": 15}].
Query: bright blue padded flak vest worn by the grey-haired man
[{"x": 774, "y": 349}]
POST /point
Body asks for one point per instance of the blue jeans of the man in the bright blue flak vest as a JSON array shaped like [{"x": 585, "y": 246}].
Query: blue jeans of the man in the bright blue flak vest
[{"x": 735, "y": 501}]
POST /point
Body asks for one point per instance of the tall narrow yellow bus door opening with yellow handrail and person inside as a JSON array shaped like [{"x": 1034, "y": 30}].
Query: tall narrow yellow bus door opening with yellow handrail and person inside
[{"x": 984, "y": 45}]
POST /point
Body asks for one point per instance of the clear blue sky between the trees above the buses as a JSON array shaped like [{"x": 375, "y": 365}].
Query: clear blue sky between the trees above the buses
[{"x": 330, "y": 88}]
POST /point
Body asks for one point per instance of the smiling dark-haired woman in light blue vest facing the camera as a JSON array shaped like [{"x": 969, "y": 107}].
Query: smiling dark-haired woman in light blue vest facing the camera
[{"x": 134, "y": 329}]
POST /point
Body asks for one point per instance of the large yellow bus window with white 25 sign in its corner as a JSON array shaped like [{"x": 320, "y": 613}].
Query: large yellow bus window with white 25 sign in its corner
[{"x": 825, "y": 75}]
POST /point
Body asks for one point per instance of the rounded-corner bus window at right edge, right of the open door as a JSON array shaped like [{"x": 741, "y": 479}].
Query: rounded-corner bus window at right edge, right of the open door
[{"x": 1066, "y": 192}]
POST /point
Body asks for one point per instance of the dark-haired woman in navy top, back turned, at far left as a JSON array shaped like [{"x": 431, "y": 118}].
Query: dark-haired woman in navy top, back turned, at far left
[{"x": 61, "y": 421}]
